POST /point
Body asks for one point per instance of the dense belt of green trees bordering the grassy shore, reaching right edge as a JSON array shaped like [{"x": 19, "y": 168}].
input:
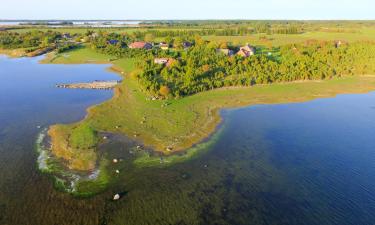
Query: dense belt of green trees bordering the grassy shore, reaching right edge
[{"x": 201, "y": 68}]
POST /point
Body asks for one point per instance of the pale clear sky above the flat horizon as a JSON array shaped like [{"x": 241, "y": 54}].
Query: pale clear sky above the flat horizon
[{"x": 191, "y": 9}]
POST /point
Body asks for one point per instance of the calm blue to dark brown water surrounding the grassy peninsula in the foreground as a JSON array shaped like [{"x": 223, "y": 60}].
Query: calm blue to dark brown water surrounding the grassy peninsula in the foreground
[{"x": 305, "y": 163}]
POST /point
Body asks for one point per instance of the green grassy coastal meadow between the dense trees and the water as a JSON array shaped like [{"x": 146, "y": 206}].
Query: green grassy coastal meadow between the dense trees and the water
[{"x": 174, "y": 125}]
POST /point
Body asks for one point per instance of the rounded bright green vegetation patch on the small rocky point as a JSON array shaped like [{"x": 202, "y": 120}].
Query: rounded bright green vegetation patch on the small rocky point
[{"x": 83, "y": 137}]
